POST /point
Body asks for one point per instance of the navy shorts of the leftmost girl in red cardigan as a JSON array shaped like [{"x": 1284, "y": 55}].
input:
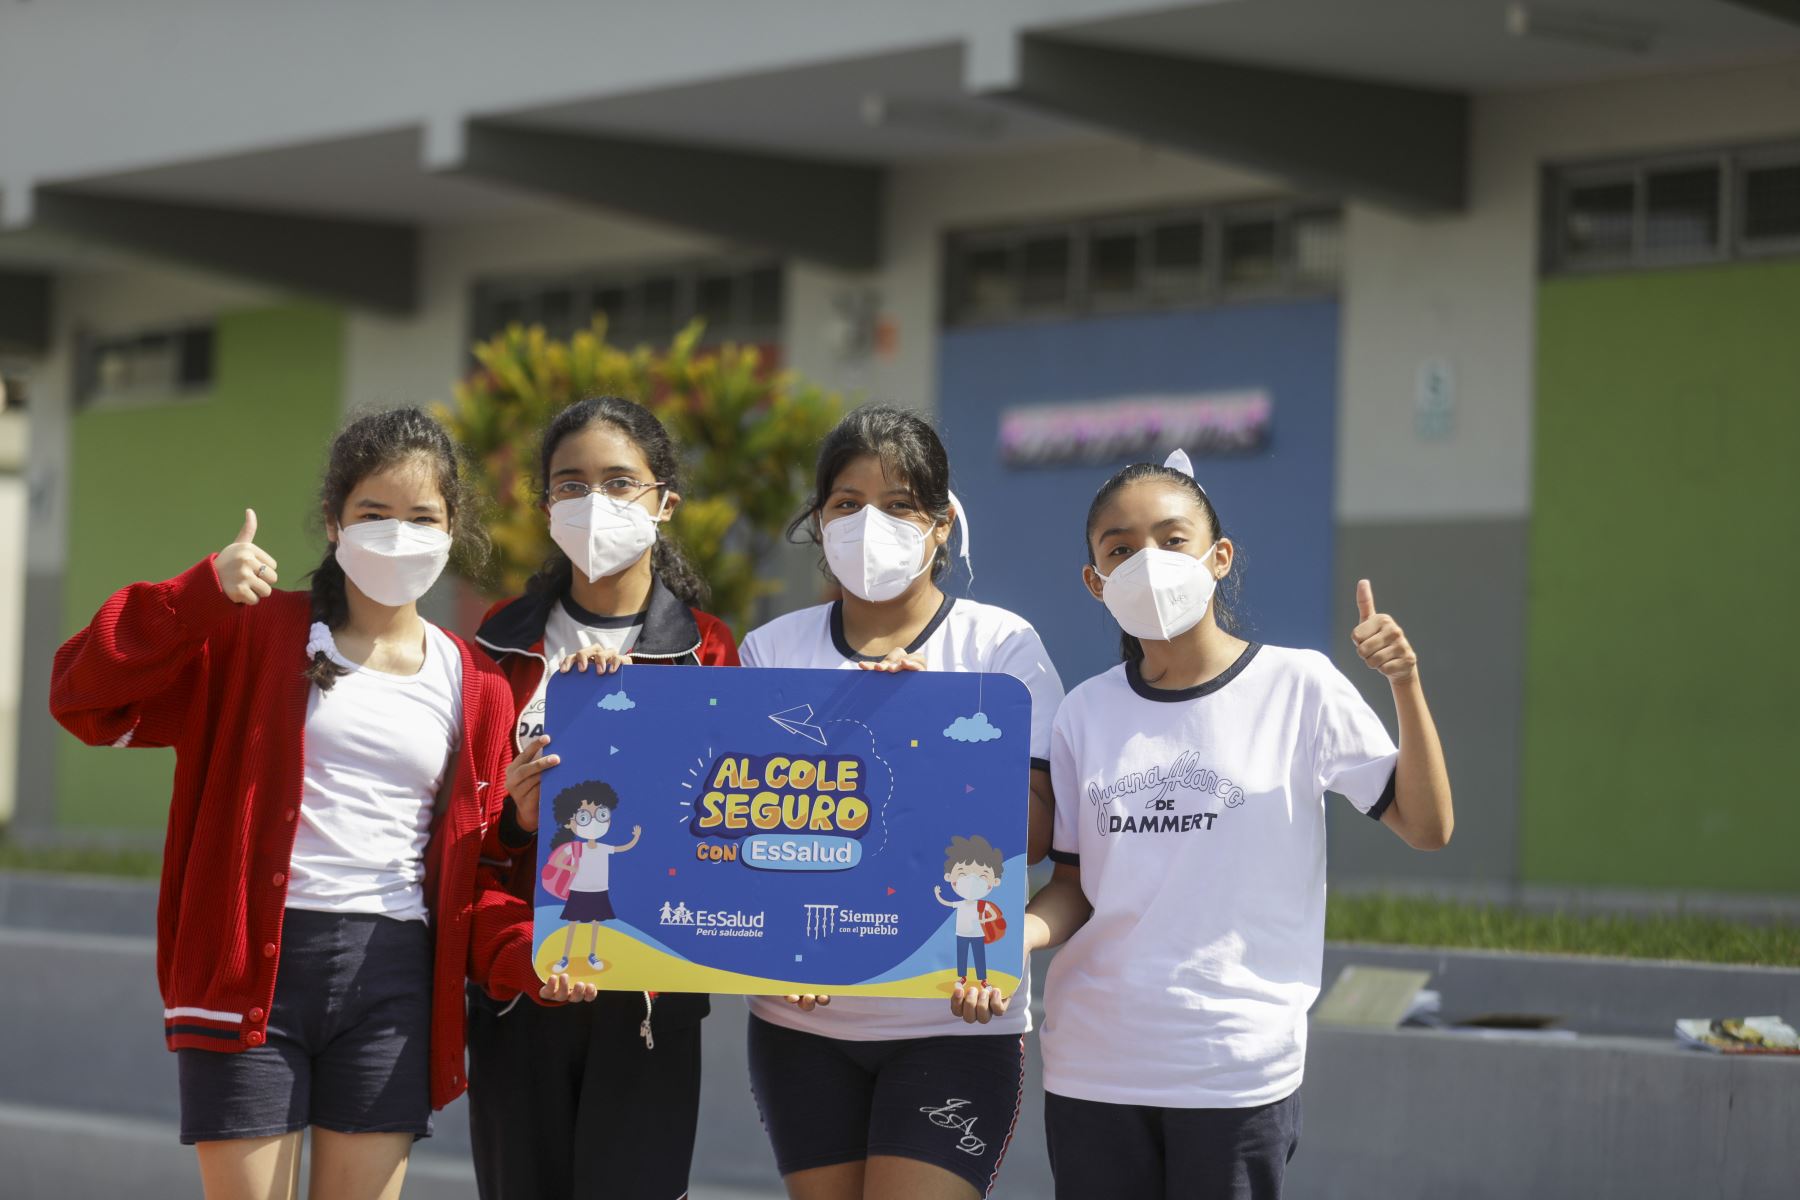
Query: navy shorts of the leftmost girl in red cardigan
[{"x": 348, "y": 1043}]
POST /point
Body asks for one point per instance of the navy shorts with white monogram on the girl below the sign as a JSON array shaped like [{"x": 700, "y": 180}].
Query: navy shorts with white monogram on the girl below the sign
[{"x": 951, "y": 1100}]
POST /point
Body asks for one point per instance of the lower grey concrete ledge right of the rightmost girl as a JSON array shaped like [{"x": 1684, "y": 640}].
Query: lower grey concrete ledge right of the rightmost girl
[{"x": 1444, "y": 1115}]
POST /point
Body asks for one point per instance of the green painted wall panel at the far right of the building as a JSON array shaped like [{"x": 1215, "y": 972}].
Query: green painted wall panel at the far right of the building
[{"x": 1664, "y": 573}]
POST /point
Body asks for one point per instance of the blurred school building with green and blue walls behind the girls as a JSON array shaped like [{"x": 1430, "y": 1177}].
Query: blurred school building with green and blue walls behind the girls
[{"x": 1497, "y": 305}]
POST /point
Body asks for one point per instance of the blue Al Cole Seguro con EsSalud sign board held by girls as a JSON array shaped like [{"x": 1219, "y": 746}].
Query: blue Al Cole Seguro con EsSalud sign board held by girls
[{"x": 784, "y": 832}]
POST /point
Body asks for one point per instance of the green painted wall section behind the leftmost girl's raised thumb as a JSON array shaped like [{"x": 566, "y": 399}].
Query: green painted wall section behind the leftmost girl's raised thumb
[{"x": 157, "y": 488}]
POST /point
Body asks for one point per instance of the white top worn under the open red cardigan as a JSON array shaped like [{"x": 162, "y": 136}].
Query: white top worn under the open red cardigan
[{"x": 377, "y": 753}]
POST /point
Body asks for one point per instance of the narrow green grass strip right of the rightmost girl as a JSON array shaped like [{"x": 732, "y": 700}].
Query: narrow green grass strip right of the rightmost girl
[{"x": 1417, "y": 922}]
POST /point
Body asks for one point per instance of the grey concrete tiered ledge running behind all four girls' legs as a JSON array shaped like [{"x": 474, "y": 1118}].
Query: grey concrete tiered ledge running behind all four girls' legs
[{"x": 89, "y": 1100}]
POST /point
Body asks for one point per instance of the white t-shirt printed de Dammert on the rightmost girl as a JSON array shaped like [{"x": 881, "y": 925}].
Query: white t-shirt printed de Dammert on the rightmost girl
[{"x": 1198, "y": 819}]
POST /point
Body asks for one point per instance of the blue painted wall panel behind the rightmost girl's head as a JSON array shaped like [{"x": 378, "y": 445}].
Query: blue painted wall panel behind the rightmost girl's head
[{"x": 1275, "y": 503}]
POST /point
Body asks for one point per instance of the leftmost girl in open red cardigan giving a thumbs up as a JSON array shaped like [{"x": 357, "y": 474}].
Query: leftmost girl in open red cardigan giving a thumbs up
[{"x": 339, "y": 766}]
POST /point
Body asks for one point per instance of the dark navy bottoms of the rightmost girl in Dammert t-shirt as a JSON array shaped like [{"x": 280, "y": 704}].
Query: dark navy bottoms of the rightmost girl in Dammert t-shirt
[{"x": 1167, "y": 1154}]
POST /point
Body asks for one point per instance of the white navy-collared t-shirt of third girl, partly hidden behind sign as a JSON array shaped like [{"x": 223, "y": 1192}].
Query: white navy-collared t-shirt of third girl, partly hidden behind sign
[{"x": 964, "y": 636}]
